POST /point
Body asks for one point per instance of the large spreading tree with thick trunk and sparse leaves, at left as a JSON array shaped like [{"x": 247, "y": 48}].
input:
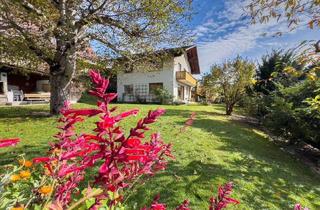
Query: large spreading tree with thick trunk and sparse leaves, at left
[{"x": 54, "y": 31}]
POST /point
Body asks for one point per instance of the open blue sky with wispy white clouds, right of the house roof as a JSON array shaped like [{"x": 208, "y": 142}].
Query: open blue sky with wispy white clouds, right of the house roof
[{"x": 222, "y": 32}]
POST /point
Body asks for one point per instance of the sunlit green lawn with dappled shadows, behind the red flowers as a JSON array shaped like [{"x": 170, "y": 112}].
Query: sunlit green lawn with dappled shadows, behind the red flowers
[{"x": 213, "y": 151}]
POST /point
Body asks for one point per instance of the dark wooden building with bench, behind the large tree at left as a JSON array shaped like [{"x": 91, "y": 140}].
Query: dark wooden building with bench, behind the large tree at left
[{"x": 22, "y": 83}]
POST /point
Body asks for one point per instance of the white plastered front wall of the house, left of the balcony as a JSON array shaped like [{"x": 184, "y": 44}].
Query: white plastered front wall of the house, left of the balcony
[{"x": 140, "y": 78}]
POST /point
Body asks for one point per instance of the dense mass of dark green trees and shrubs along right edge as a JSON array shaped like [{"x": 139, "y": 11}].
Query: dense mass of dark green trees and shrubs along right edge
[{"x": 286, "y": 96}]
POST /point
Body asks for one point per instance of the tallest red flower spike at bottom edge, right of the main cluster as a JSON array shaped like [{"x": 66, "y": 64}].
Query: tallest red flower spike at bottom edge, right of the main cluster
[{"x": 223, "y": 199}]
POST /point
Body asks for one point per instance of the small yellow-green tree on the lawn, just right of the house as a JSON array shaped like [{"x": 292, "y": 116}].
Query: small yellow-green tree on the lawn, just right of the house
[{"x": 232, "y": 78}]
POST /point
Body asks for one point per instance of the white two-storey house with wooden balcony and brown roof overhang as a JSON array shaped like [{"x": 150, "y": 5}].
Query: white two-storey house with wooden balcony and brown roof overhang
[{"x": 175, "y": 74}]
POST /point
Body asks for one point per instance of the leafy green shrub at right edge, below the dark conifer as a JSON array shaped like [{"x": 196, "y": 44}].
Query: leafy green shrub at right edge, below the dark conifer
[{"x": 288, "y": 113}]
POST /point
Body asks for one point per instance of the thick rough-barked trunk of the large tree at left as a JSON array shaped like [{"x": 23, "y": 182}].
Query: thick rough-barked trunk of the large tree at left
[{"x": 61, "y": 76}]
